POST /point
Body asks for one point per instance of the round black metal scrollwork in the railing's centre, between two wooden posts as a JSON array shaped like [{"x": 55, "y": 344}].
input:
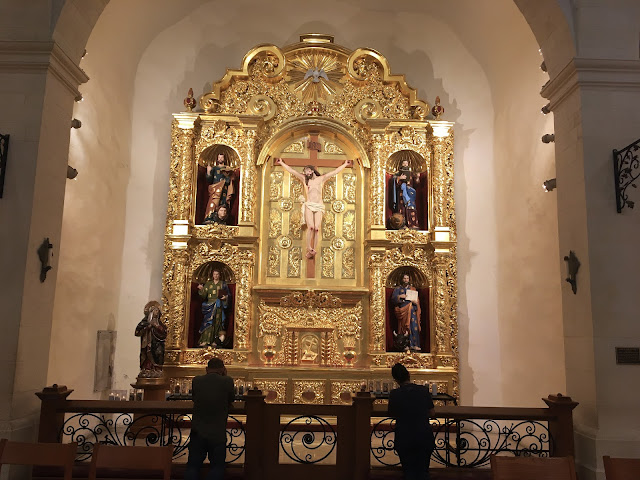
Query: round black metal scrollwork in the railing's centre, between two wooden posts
[{"x": 302, "y": 438}]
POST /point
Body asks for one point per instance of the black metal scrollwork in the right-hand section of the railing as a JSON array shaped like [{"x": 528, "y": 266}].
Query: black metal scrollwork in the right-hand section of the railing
[{"x": 469, "y": 443}]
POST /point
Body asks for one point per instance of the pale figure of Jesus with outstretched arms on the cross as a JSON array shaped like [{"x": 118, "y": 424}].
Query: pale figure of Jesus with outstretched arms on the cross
[{"x": 313, "y": 205}]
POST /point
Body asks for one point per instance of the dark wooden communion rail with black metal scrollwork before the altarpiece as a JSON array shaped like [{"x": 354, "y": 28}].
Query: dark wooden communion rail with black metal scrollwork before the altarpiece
[{"x": 267, "y": 440}]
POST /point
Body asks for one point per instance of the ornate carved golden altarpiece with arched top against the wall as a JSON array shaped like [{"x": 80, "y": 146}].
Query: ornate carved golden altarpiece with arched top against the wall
[{"x": 311, "y": 329}]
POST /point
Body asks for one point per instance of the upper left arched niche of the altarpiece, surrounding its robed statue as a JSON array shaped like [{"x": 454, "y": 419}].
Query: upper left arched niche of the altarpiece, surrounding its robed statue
[{"x": 206, "y": 193}]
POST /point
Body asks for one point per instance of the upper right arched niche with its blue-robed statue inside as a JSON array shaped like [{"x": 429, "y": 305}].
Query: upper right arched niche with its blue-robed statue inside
[{"x": 407, "y": 191}]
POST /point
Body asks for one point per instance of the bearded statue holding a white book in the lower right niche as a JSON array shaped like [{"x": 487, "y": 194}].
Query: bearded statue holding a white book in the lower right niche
[{"x": 407, "y": 314}]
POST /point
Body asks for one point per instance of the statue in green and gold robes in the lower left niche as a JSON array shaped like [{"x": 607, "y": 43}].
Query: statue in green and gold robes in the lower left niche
[{"x": 217, "y": 299}]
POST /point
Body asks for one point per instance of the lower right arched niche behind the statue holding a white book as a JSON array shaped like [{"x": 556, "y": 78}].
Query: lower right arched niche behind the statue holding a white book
[{"x": 393, "y": 318}]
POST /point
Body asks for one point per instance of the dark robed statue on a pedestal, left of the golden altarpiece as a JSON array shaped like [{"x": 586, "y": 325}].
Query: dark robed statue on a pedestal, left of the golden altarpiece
[{"x": 152, "y": 333}]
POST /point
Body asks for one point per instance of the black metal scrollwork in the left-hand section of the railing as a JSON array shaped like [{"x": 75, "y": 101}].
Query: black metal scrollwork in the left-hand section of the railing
[{"x": 87, "y": 429}]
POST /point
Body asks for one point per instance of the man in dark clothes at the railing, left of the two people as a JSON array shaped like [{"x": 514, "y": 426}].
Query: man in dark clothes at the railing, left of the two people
[{"x": 212, "y": 395}]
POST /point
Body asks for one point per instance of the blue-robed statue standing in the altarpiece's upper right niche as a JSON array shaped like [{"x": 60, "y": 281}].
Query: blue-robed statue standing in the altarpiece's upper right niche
[{"x": 404, "y": 198}]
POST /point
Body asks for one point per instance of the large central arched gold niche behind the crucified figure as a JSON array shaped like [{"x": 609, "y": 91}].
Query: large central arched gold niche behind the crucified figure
[{"x": 283, "y": 235}]
